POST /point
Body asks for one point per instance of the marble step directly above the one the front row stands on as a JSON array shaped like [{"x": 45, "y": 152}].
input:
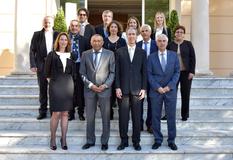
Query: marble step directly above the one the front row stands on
[{"x": 184, "y": 137}]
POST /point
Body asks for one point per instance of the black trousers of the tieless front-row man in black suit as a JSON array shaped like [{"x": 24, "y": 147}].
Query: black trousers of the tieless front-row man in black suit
[{"x": 125, "y": 104}]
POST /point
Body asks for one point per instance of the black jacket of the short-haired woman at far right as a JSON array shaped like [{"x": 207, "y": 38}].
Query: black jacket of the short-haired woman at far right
[{"x": 187, "y": 54}]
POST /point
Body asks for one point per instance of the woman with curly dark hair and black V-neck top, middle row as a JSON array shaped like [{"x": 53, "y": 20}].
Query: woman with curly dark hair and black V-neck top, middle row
[{"x": 113, "y": 42}]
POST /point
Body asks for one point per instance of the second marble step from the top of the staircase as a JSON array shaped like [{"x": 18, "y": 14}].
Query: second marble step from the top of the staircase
[{"x": 195, "y": 91}]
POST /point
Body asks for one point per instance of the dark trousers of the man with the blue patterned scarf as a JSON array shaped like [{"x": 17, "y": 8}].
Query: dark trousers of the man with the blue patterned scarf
[{"x": 78, "y": 93}]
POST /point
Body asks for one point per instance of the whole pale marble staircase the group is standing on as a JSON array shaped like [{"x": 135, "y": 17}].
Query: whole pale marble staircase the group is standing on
[{"x": 208, "y": 134}]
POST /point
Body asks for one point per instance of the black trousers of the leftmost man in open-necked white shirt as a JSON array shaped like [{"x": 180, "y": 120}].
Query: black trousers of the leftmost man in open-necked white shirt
[{"x": 43, "y": 94}]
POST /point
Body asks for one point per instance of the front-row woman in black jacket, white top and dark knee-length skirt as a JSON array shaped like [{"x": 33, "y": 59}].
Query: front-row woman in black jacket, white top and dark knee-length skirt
[{"x": 59, "y": 70}]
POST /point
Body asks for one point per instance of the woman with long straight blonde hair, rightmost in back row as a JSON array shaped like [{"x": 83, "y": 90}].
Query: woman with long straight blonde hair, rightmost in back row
[{"x": 160, "y": 26}]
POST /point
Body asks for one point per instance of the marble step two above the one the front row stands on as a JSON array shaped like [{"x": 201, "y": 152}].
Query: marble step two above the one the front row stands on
[{"x": 28, "y": 124}]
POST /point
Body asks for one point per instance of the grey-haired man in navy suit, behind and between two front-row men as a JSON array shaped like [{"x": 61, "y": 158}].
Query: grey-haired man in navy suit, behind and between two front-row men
[{"x": 150, "y": 47}]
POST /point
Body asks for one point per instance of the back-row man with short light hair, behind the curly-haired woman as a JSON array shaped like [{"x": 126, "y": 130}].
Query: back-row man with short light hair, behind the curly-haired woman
[{"x": 101, "y": 29}]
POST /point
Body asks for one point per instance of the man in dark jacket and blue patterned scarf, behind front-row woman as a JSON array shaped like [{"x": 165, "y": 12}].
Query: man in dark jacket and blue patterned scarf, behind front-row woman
[{"x": 79, "y": 44}]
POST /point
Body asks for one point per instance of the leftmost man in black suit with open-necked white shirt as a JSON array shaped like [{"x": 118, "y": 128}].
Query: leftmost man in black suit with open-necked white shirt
[{"x": 41, "y": 44}]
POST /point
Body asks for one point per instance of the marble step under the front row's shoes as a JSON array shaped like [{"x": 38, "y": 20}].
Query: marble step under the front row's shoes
[{"x": 184, "y": 152}]
